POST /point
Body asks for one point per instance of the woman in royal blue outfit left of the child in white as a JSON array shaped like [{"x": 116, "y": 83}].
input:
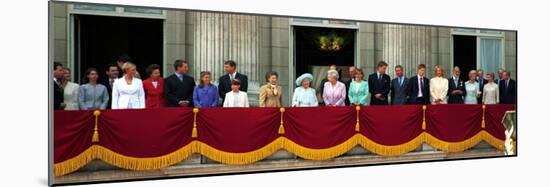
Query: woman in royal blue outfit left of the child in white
[{"x": 205, "y": 94}]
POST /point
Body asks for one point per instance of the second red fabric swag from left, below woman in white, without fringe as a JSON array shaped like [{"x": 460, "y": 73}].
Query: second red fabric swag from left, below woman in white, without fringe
[{"x": 145, "y": 132}]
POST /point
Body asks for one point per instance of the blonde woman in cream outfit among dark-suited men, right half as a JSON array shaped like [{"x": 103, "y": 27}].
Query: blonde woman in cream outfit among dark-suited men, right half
[{"x": 439, "y": 87}]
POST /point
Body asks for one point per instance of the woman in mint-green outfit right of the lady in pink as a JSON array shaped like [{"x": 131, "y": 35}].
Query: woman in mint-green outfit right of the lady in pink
[{"x": 358, "y": 89}]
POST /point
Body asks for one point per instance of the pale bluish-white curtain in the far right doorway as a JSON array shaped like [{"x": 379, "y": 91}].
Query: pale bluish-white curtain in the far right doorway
[{"x": 490, "y": 54}]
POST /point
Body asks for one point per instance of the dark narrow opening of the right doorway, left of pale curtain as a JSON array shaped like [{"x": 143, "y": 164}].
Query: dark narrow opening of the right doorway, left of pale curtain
[{"x": 465, "y": 54}]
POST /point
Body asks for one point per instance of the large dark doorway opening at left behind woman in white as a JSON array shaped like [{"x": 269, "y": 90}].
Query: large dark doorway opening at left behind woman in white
[{"x": 100, "y": 40}]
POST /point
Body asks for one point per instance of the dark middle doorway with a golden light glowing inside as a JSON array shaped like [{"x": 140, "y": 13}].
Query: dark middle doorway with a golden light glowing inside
[{"x": 317, "y": 47}]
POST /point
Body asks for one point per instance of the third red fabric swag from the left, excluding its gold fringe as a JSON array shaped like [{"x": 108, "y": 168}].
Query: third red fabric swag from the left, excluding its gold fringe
[{"x": 238, "y": 130}]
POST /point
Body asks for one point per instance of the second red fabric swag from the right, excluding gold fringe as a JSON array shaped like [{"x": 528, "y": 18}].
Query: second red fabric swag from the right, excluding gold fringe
[{"x": 453, "y": 123}]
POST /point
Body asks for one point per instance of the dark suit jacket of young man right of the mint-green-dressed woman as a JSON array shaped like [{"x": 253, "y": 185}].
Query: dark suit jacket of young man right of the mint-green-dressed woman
[{"x": 379, "y": 87}]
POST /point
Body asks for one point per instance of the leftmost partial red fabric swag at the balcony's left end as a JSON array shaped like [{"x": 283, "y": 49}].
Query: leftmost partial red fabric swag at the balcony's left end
[{"x": 72, "y": 133}]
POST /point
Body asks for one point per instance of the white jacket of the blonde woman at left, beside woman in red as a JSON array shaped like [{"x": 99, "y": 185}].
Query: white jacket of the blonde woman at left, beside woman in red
[{"x": 126, "y": 95}]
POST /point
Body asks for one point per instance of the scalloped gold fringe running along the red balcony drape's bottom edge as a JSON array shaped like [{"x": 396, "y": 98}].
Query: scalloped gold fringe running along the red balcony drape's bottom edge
[{"x": 133, "y": 163}]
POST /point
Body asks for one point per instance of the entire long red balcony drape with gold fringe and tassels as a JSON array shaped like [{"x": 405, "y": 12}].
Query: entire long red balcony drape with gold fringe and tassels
[{"x": 148, "y": 133}]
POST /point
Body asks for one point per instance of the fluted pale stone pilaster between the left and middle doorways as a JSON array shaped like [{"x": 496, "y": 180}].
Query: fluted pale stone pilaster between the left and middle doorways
[{"x": 220, "y": 37}]
